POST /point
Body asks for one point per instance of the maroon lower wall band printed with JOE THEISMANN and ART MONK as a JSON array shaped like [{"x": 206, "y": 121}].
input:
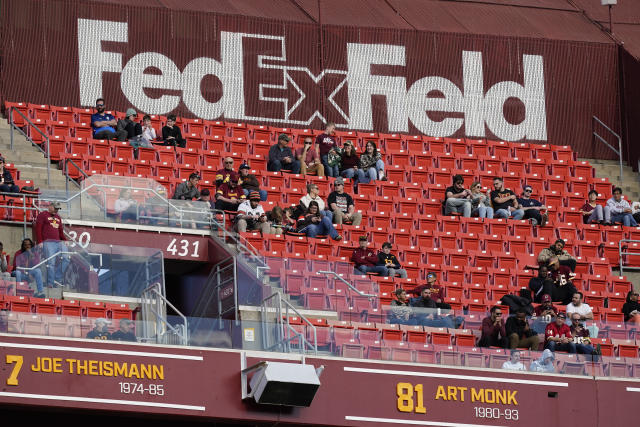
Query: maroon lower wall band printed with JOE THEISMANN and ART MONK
[{"x": 204, "y": 383}]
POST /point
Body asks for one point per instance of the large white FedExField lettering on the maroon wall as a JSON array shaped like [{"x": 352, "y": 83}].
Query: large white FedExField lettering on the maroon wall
[{"x": 470, "y": 107}]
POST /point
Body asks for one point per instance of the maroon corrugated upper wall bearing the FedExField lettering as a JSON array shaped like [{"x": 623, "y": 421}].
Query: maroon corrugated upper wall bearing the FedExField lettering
[{"x": 290, "y": 74}]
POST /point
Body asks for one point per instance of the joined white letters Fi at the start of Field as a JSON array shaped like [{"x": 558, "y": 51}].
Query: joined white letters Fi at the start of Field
[{"x": 362, "y": 85}]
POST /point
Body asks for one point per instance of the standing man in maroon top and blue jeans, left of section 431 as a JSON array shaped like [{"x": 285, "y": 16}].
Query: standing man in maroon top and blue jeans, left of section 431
[{"x": 49, "y": 231}]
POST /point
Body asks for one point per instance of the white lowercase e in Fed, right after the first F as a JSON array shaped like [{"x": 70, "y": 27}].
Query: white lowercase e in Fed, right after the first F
[{"x": 133, "y": 81}]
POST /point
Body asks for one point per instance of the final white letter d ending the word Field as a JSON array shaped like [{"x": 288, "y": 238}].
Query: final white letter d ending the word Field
[{"x": 534, "y": 125}]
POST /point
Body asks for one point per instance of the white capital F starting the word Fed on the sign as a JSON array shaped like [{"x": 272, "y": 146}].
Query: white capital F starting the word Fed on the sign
[{"x": 92, "y": 61}]
